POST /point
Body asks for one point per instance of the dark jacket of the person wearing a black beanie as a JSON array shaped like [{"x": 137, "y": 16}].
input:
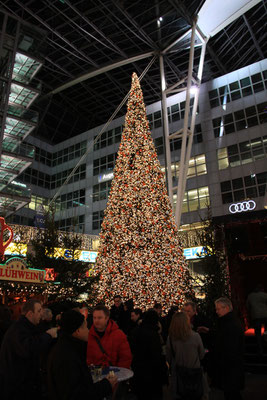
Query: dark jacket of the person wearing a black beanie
[{"x": 68, "y": 376}]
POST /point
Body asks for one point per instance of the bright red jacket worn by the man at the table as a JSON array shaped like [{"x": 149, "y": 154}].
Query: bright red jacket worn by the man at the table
[{"x": 115, "y": 345}]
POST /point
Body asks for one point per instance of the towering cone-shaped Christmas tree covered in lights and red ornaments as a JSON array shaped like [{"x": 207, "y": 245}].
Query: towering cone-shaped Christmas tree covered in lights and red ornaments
[{"x": 139, "y": 255}]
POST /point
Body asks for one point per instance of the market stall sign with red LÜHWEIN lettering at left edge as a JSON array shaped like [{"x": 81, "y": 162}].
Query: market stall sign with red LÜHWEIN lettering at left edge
[{"x": 16, "y": 270}]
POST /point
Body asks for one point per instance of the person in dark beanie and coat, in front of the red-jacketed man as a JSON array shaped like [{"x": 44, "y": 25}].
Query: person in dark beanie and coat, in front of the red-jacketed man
[{"x": 68, "y": 376}]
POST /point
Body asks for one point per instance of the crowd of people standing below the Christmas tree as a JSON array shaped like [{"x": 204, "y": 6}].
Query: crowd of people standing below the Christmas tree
[{"x": 46, "y": 356}]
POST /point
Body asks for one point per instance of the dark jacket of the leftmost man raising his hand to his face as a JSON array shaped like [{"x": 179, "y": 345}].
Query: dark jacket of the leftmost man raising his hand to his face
[{"x": 19, "y": 360}]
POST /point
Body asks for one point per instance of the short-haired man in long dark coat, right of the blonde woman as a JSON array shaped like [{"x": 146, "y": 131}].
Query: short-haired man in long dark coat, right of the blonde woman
[{"x": 228, "y": 362}]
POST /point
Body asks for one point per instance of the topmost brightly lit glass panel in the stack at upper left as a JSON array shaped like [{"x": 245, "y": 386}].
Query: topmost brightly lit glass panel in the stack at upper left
[{"x": 24, "y": 68}]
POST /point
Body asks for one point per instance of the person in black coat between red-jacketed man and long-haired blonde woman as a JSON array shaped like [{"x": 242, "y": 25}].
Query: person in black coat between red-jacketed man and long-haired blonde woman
[{"x": 149, "y": 365}]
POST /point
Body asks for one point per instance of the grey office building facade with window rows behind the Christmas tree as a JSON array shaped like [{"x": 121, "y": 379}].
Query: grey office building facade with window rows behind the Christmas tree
[{"x": 228, "y": 163}]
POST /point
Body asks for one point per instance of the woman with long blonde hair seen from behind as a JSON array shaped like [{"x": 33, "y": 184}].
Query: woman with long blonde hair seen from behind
[{"x": 184, "y": 352}]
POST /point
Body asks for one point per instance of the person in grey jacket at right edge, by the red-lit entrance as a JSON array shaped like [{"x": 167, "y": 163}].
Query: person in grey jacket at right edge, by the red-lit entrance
[{"x": 257, "y": 309}]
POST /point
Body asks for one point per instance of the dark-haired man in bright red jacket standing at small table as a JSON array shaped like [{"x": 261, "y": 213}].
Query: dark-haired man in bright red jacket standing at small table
[{"x": 107, "y": 344}]
